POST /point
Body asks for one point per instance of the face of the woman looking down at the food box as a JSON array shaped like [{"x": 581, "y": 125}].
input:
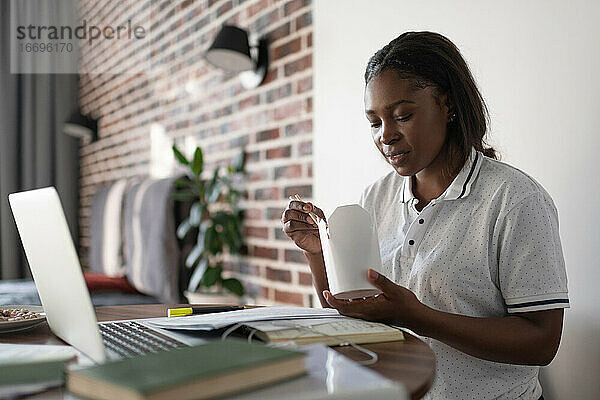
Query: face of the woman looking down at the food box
[{"x": 408, "y": 125}]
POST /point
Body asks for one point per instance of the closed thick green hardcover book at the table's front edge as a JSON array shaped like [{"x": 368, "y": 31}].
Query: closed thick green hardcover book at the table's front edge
[{"x": 201, "y": 372}]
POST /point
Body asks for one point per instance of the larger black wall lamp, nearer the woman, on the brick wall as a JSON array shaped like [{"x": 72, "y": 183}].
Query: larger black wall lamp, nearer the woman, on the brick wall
[{"x": 231, "y": 51}]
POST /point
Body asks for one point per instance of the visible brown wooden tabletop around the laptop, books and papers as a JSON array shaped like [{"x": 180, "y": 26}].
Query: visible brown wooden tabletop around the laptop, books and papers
[{"x": 410, "y": 362}]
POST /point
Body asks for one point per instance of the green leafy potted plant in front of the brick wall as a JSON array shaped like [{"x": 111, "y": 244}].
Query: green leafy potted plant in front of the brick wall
[{"x": 215, "y": 221}]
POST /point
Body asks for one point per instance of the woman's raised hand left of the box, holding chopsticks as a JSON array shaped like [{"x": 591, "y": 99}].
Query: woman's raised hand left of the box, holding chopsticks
[{"x": 299, "y": 226}]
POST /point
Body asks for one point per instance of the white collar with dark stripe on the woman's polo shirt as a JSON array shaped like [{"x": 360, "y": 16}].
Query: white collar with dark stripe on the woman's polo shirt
[{"x": 460, "y": 186}]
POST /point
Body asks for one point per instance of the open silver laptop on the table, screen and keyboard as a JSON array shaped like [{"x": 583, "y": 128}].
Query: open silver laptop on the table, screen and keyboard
[{"x": 59, "y": 280}]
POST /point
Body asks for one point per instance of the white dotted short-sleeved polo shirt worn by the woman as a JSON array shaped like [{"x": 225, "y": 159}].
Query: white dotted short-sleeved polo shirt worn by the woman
[{"x": 487, "y": 247}]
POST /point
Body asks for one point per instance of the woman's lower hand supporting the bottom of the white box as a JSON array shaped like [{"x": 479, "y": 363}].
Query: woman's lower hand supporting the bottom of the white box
[{"x": 395, "y": 305}]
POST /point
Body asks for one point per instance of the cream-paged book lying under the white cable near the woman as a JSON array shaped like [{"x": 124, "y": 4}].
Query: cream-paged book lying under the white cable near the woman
[{"x": 332, "y": 332}]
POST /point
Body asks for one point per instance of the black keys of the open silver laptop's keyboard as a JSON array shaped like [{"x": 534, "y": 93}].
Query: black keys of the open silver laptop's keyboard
[{"x": 130, "y": 338}]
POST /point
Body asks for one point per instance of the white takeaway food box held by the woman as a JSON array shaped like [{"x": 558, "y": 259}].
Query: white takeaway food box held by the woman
[{"x": 350, "y": 247}]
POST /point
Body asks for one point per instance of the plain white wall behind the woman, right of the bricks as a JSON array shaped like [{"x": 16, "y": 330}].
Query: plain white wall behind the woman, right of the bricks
[{"x": 537, "y": 64}]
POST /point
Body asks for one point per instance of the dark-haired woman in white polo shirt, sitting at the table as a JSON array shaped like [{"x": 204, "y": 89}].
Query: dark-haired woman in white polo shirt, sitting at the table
[{"x": 471, "y": 255}]
